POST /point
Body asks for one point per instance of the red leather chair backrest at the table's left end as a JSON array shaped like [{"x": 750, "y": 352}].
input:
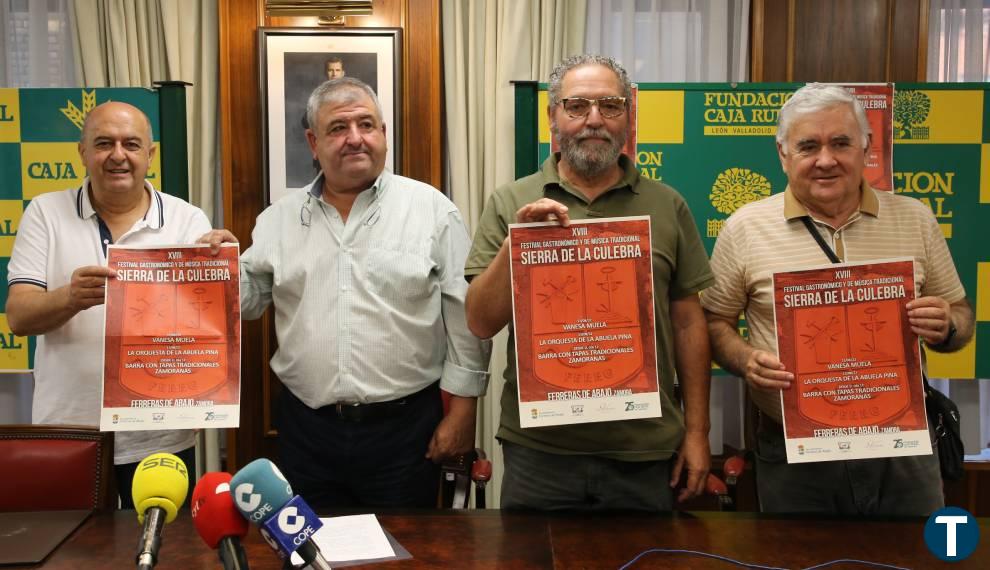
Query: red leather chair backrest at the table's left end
[{"x": 56, "y": 467}]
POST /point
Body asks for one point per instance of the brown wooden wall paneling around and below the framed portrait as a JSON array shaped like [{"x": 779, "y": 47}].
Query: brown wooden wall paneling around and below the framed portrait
[{"x": 243, "y": 187}]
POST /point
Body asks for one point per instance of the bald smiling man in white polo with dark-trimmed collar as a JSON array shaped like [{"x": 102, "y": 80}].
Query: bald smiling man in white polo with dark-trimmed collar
[{"x": 57, "y": 275}]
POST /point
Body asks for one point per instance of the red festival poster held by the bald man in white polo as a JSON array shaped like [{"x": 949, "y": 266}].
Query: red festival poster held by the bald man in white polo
[{"x": 172, "y": 338}]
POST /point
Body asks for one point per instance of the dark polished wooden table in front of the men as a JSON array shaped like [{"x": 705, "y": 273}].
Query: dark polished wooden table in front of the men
[{"x": 491, "y": 539}]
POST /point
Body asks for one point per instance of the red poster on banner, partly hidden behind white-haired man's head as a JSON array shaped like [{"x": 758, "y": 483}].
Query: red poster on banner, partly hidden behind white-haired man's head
[{"x": 878, "y": 102}]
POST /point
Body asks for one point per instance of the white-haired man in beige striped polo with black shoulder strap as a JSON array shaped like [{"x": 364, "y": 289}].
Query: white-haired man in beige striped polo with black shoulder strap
[{"x": 822, "y": 139}]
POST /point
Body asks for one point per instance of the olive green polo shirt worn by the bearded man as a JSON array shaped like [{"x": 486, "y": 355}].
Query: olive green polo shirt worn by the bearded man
[{"x": 680, "y": 268}]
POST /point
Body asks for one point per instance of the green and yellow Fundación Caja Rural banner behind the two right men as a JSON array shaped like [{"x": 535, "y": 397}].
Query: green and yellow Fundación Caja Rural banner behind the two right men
[{"x": 715, "y": 144}]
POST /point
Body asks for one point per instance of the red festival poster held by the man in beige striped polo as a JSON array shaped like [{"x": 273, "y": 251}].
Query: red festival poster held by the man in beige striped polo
[{"x": 858, "y": 389}]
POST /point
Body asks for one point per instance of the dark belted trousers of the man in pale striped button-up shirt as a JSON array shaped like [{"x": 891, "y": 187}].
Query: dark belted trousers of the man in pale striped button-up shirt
[{"x": 370, "y": 458}]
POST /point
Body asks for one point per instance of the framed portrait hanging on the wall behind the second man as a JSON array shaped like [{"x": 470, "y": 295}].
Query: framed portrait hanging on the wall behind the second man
[{"x": 293, "y": 62}]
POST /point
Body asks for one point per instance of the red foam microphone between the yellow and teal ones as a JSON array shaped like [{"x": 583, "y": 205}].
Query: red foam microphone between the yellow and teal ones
[{"x": 218, "y": 521}]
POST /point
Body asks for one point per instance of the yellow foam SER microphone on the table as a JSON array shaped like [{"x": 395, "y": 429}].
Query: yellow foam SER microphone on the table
[{"x": 159, "y": 488}]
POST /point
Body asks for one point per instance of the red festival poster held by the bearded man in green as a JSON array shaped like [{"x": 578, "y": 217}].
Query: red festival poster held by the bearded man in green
[{"x": 582, "y": 308}]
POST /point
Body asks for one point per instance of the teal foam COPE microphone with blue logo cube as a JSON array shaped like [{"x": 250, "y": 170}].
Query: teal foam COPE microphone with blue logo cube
[{"x": 264, "y": 497}]
